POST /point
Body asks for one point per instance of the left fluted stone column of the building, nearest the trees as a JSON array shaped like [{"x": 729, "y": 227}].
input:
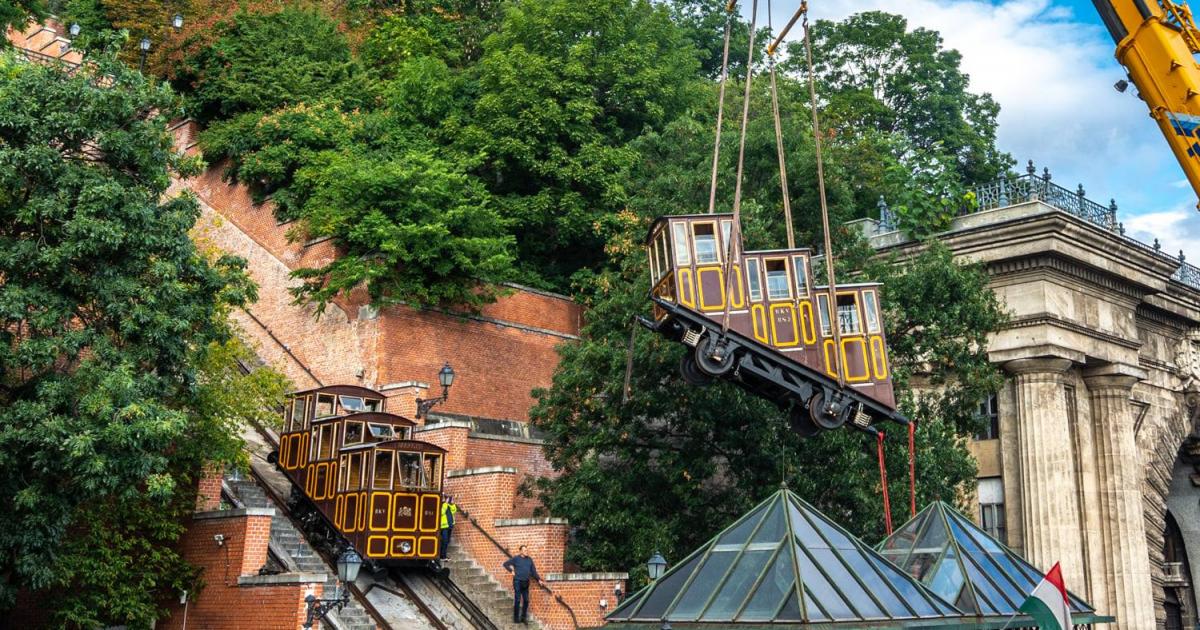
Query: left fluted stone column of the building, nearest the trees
[{"x": 1051, "y": 524}]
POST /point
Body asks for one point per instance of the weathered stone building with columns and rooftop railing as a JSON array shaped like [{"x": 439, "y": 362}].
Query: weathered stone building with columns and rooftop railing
[{"x": 1091, "y": 457}]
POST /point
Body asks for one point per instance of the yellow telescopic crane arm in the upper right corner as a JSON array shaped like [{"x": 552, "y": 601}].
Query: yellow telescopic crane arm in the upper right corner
[{"x": 1156, "y": 41}]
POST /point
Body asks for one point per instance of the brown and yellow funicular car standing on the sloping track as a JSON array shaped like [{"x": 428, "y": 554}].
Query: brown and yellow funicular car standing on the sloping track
[{"x": 358, "y": 466}]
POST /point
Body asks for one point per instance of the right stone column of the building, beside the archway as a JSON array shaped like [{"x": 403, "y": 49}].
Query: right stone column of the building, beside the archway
[{"x": 1126, "y": 569}]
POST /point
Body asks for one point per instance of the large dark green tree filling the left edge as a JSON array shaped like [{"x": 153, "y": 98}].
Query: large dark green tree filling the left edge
[{"x": 115, "y": 329}]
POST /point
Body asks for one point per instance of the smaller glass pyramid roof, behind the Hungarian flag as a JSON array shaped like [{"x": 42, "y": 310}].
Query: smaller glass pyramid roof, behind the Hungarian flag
[{"x": 962, "y": 563}]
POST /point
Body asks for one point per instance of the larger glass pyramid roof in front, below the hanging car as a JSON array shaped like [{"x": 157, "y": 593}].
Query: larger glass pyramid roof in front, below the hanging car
[{"x": 785, "y": 563}]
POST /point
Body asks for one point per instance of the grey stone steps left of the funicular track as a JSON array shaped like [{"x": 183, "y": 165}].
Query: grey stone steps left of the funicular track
[{"x": 287, "y": 539}]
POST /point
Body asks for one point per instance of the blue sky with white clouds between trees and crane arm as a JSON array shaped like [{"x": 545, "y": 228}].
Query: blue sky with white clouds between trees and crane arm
[{"x": 1051, "y": 67}]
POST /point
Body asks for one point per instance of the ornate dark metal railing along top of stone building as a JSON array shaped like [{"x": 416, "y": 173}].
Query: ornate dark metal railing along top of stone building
[{"x": 1039, "y": 188}]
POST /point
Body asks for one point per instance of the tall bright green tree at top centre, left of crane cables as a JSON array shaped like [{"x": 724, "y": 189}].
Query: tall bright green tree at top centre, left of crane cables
[{"x": 563, "y": 87}]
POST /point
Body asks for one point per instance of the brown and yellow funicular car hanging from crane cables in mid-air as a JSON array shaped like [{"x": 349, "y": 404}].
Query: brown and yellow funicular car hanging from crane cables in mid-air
[{"x": 779, "y": 343}]
